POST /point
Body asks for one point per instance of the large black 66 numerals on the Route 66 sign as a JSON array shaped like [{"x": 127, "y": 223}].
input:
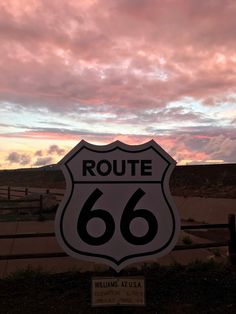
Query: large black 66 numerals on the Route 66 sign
[{"x": 128, "y": 215}]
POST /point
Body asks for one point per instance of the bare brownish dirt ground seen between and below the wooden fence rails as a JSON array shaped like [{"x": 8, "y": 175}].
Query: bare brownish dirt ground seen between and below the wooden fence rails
[{"x": 192, "y": 211}]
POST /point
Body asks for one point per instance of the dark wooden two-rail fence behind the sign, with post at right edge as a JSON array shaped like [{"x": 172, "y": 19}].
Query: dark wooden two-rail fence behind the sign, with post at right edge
[{"x": 231, "y": 243}]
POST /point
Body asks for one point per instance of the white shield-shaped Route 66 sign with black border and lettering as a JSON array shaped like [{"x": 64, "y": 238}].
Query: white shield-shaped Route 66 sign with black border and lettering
[{"x": 117, "y": 208}]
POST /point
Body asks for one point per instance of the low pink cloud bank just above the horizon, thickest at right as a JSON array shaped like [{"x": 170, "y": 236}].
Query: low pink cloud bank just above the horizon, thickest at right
[{"x": 184, "y": 143}]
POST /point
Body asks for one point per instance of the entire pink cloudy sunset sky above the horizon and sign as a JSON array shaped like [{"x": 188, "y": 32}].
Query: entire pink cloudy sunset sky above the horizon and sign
[{"x": 105, "y": 70}]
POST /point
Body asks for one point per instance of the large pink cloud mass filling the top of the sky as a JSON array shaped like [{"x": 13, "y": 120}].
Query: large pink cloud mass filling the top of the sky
[{"x": 91, "y": 58}]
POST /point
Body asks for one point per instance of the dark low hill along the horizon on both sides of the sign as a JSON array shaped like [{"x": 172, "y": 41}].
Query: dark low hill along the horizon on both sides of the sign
[{"x": 192, "y": 180}]
